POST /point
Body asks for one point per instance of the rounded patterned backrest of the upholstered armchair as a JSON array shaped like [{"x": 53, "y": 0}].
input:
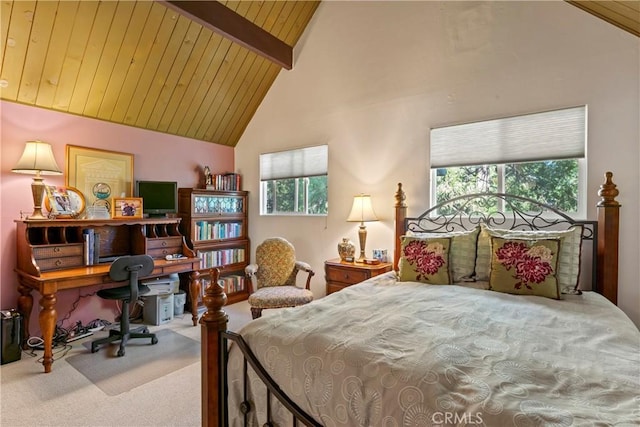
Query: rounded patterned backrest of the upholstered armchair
[{"x": 276, "y": 258}]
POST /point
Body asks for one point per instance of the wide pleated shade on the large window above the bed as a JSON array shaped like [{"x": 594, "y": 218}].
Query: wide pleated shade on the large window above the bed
[{"x": 550, "y": 135}]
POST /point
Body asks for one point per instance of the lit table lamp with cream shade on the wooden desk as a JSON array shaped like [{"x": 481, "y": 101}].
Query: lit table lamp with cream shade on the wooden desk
[{"x": 37, "y": 159}]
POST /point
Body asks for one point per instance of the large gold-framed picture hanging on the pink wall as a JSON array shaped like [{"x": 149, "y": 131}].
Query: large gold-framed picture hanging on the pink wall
[{"x": 99, "y": 175}]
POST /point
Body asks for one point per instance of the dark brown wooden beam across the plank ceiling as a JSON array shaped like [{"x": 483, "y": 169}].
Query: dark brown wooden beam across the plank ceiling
[{"x": 222, "y": 20}]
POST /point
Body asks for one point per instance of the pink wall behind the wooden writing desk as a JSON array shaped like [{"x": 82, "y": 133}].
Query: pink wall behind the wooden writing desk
[{"x": 157, "y": 156}]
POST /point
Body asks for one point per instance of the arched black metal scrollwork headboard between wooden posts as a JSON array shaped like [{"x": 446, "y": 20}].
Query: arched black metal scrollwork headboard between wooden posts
[{"x": 517, "y": 213}]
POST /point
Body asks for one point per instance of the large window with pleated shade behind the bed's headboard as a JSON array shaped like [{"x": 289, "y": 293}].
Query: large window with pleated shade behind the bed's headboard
[{"x": 539, "y": 156}]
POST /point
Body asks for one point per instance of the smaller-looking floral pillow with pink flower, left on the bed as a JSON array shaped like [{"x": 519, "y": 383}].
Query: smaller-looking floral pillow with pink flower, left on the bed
[{"x": 425, "y": 260}]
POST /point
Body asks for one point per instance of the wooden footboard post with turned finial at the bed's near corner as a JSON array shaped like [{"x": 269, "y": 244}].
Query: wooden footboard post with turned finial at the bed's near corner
[{"x": 213, "y": 321}]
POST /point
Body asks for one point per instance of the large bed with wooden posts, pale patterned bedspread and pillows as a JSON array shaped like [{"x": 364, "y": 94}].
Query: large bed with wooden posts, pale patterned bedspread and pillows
[{"x": 399, "y": 350}]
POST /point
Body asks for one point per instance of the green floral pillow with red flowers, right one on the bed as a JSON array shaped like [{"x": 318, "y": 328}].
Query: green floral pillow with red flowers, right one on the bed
[{"x": 525, "y": 267}]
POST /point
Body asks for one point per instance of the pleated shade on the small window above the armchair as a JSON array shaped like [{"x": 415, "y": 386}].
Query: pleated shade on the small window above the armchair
[{"x": 303, "y": 162}]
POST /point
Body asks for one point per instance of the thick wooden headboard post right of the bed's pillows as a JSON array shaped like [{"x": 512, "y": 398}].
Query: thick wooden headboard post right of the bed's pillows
[{"x": 608, "y": 231}]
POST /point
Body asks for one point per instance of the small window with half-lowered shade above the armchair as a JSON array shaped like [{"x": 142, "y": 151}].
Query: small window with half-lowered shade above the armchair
[{"x": 294, "y": 182}]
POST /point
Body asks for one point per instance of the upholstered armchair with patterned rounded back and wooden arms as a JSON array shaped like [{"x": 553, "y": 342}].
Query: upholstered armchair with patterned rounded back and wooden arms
[{"x": 273, "y": 277}]
